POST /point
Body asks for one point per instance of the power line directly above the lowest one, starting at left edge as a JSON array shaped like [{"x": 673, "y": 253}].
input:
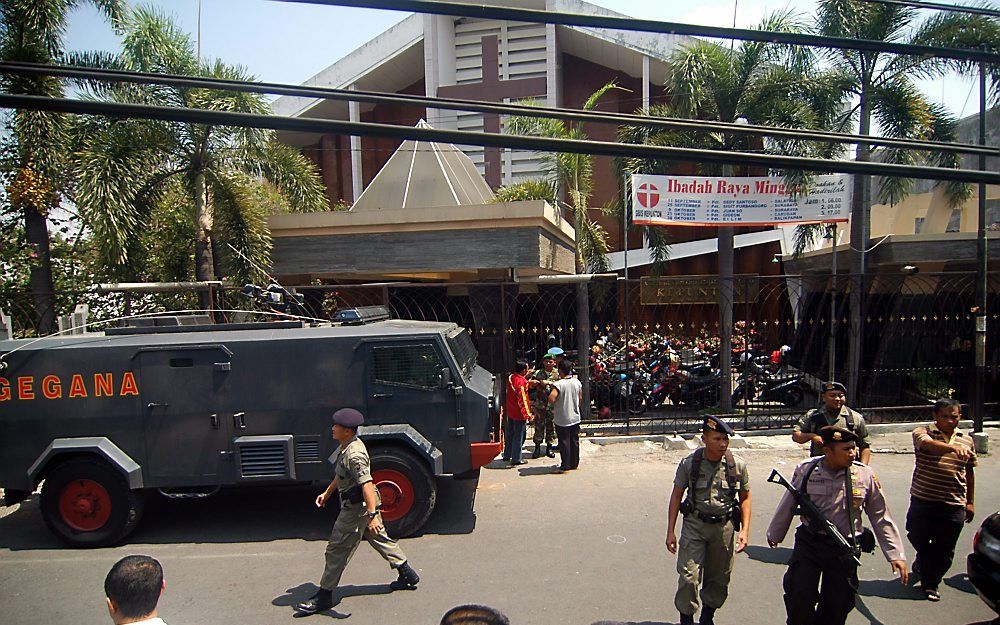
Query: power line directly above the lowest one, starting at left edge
[{"x": 378, "y": 97}]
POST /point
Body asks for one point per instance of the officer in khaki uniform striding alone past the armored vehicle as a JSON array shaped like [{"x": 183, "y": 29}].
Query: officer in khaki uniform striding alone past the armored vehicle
[{"x": 359, "y": 516}]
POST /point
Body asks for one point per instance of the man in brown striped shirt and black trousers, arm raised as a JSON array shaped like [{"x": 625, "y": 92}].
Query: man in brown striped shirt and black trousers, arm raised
[{"x": 941, "y": 494}]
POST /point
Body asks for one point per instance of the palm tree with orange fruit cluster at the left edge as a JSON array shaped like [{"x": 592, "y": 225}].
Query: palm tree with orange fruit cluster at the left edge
[{"x": 32, "y": 31}]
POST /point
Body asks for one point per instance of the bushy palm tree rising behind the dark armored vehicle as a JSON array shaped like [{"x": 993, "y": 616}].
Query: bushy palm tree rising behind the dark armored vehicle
[{"x": 227, "y": 177}]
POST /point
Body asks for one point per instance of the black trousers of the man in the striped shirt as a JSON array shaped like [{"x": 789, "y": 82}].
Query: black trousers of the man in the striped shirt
[{"x": 933, "y": 528}]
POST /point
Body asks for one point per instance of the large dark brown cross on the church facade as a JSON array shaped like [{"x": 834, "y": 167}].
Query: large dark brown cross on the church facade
[{"x": 492, "y": 89}]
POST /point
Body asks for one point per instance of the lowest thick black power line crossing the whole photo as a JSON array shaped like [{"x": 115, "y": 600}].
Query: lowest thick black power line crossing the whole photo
[{"x": 460, "y": 137}]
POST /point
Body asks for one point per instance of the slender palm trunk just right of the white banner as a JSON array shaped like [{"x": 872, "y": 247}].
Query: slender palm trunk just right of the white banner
[{"x": 860, "y": 228}]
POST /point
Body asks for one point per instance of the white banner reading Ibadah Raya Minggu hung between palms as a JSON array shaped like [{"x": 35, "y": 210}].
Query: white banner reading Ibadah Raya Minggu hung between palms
[{"x": 737, "y": 201}]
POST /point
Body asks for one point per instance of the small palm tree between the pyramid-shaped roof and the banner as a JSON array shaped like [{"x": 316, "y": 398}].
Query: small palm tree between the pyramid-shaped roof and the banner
[{"x": 575, "y": 174}]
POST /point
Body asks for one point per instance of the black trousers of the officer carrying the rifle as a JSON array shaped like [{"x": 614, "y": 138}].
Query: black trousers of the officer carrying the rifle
[{"x": 821, "y": 586}]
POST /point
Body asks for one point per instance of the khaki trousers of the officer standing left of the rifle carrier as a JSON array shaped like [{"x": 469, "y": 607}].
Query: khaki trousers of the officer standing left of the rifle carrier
[{"x": 705, "y": 555}]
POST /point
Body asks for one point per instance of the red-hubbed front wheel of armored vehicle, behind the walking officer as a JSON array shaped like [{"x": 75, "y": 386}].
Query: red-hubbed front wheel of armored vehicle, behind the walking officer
[{"x": 407, "y": 490}]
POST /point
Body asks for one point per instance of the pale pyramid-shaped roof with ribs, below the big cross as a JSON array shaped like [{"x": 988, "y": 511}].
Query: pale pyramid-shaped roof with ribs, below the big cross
[{"x": 423, "y": 174}]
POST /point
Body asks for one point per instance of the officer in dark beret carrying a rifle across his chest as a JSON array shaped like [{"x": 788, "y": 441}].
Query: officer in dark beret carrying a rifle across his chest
[{"x": 821, "y": 584}]
